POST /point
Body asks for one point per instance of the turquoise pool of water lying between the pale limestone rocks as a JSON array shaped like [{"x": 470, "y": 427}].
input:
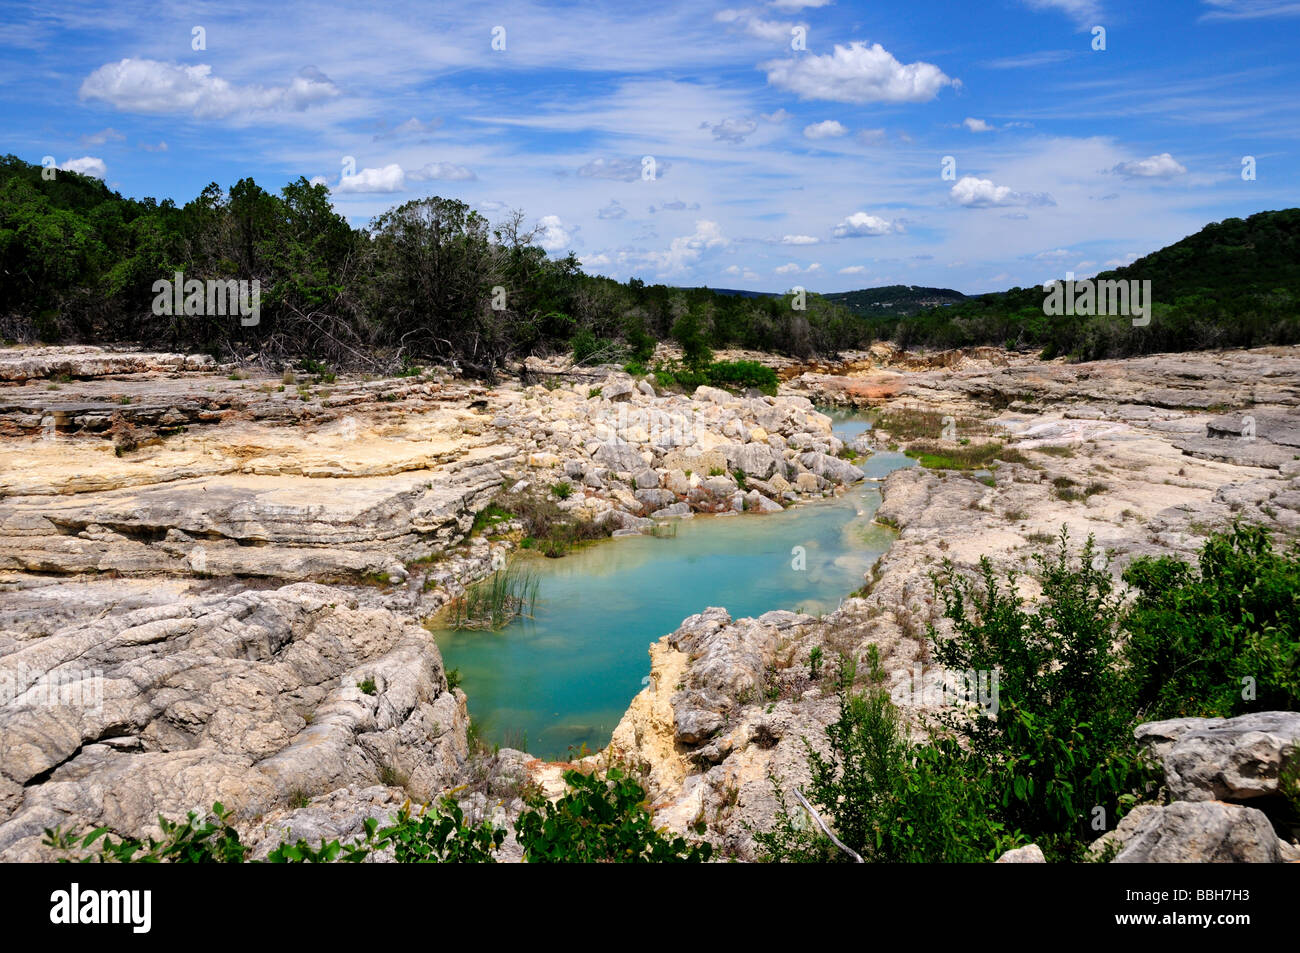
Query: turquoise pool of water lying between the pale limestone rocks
[{"x": 566, "y": 677}]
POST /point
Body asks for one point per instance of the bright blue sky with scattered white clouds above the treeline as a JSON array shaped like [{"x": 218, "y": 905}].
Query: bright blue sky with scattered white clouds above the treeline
[{"x": 773, "y": 166}]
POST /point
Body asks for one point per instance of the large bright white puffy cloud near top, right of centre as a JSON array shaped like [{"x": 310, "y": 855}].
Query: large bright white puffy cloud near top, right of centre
[{"x": 857, "y": 73}]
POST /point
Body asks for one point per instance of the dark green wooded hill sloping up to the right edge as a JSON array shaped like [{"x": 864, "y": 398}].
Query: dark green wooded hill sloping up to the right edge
[{"x": 1233, "y": 284}]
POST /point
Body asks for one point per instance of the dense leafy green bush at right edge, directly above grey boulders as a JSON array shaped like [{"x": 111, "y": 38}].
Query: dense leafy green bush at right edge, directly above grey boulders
[{"x": 1202, "y": 636}]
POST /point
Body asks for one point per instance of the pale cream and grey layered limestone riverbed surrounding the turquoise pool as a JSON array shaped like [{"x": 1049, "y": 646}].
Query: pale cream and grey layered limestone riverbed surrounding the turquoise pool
[{"x": 222, "y": 573}]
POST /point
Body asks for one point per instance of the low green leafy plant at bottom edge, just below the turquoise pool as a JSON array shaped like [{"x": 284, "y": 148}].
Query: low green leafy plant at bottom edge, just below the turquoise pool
[{"x": 601, "y": 820}]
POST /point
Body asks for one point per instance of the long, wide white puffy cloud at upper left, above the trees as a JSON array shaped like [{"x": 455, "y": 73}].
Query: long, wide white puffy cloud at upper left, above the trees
[{"x": 151, "y": 86}]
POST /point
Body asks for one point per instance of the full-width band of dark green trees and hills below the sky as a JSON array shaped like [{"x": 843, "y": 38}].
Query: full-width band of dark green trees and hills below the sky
[{"x": 435, "y": 281}]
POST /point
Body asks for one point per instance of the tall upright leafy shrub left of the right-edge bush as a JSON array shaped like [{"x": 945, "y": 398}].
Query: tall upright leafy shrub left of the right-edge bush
[{"x": 1061, "y": 743}]
